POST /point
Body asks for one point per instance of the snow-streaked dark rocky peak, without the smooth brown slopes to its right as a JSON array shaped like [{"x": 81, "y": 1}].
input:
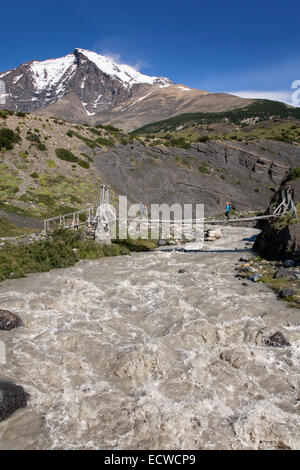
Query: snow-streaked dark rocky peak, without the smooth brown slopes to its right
[{"x": 92, "y": 82}]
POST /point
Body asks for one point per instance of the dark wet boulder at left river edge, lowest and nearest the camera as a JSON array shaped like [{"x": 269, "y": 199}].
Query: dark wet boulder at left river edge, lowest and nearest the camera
[{"x": 12, "y": 397}]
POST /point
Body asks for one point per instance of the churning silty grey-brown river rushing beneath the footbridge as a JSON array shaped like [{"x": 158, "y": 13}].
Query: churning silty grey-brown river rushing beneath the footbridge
[{"x": 126, "y": 353}]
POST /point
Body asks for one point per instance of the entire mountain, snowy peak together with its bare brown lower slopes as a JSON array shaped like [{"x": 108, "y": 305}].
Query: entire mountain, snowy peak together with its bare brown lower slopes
[{"x": 86, "y": 87}]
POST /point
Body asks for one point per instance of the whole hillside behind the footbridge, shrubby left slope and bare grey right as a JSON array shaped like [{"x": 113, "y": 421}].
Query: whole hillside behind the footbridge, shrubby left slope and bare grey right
[{"x": 50, "y": 167}]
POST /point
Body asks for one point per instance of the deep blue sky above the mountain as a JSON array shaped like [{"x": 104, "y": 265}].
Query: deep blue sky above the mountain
[{"x": 252, "y": 48}]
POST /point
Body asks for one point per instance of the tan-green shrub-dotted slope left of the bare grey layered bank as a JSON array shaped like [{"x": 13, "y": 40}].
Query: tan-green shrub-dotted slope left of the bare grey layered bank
[{"x": 46, "y": 165}]
